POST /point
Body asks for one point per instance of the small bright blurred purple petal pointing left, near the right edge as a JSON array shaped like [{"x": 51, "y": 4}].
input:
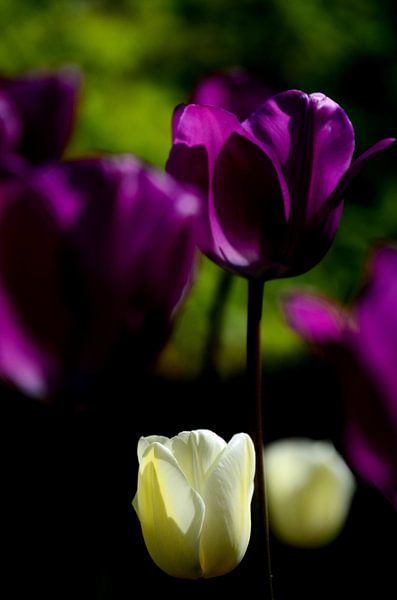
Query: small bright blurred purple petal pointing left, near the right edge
[{"x": 316, "y": 319}]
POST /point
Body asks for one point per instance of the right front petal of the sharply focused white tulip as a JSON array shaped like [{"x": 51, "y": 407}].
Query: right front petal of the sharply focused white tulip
[{"x": 227, "y": 497}]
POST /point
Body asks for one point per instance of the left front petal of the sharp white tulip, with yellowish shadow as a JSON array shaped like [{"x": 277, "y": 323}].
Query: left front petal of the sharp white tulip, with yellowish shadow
[{"x": 171, "y": 513}]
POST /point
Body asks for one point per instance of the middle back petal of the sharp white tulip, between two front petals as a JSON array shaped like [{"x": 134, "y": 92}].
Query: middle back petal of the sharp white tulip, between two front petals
[{"x": 196, "y": 453}]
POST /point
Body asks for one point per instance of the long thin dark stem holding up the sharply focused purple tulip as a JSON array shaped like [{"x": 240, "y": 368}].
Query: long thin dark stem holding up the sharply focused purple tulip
[{"x": 254, "y": 376}]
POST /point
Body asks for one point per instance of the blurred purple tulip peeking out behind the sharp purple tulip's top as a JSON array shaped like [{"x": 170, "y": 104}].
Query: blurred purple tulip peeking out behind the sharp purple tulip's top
[{"x": 235, "y": 91}]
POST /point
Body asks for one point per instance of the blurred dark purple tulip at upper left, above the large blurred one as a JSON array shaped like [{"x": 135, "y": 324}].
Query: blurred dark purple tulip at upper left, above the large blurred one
[{"x": 37, "y": 114}]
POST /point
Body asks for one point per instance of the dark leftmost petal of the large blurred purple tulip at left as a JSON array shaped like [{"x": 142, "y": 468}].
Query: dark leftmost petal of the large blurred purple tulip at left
[{"x": 35, "y": 317}]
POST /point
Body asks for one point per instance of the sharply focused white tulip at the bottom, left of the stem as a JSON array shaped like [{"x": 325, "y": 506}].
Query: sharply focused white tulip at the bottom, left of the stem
[{"x": 193, "y": 501}]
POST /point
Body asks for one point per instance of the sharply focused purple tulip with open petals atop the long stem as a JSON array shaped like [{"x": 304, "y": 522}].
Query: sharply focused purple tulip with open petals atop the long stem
[{"x": 274, "y": 184}]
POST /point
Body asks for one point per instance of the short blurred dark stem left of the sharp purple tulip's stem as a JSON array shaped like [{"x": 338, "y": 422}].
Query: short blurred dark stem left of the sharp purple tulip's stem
[{"x": 215, "y": 321}]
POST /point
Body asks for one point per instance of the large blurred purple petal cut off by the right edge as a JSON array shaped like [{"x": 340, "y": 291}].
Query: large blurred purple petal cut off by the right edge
[{"x": 372, "y": 384}]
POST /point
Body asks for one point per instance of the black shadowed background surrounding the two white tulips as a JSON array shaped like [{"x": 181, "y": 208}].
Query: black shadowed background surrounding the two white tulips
[{"x": 68, "y": 528}]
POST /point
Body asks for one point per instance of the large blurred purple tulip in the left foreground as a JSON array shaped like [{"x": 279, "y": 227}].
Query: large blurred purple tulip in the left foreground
[{"x": 93, "y": 253}]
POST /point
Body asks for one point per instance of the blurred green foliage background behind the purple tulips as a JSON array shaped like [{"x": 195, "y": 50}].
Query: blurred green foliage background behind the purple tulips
[{"x": 141, "y": 58}]
